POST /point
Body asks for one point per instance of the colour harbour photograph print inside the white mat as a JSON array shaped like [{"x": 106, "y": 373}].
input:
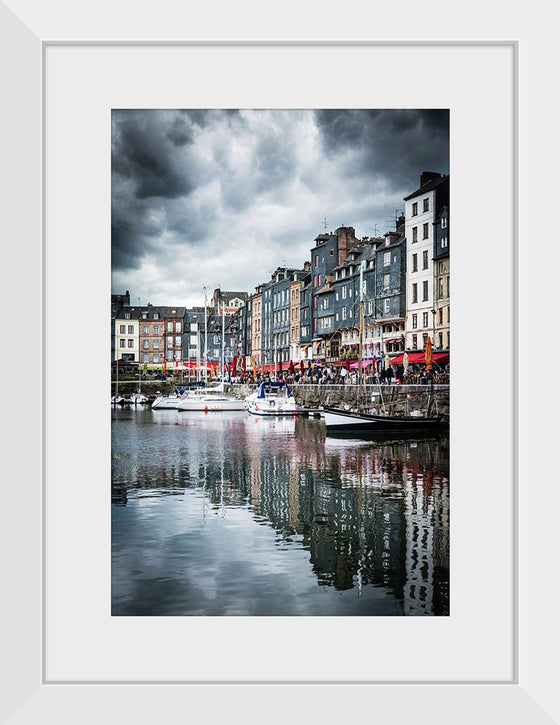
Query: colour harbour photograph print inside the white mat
[{"x": 280, "y": 362}]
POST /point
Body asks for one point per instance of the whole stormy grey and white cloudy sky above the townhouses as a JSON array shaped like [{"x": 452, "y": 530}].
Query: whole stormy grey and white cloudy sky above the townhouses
[{"x": 220, "y": 198}]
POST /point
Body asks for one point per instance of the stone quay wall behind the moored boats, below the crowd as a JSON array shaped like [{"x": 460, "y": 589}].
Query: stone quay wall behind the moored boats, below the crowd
[{"x": 394, "y": 398}]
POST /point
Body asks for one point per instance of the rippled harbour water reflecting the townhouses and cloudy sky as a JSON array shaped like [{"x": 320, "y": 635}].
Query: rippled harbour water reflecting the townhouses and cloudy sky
[{"x": 226, "y": 514}]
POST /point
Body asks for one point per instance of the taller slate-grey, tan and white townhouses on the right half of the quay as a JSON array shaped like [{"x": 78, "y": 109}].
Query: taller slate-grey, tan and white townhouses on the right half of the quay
[{"x": 314, "y": 312}]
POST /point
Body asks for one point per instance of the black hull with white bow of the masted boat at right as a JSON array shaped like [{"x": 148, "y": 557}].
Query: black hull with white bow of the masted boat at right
[{"x": 339, "y": 420}]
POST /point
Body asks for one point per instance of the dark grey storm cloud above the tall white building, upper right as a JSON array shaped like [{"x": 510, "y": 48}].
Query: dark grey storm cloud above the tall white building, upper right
[{"x": 396, "y": 143}]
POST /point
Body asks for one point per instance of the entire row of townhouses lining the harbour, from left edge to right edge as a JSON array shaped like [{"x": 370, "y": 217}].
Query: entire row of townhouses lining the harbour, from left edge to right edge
[{"x": 313, "y": 312}]
